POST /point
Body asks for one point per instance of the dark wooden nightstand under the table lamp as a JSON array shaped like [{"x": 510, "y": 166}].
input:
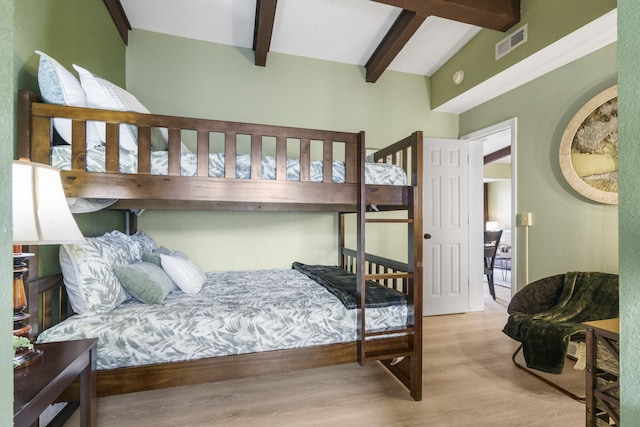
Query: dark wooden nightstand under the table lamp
[{"x": 37, "y": 386}]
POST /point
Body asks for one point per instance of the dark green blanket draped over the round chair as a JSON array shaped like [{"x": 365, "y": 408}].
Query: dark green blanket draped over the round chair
[{"x": 545, "y": 336}]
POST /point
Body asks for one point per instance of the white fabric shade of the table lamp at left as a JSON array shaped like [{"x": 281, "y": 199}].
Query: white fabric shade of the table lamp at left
[{"x": 41, "y": 214}]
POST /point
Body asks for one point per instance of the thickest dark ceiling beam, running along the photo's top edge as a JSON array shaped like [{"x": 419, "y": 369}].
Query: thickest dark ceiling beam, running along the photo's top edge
[{"x": 493, "y": 14}]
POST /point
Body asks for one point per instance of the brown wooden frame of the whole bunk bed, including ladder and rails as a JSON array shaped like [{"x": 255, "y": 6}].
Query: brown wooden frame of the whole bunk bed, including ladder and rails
[{"x": 398, "y": 349}]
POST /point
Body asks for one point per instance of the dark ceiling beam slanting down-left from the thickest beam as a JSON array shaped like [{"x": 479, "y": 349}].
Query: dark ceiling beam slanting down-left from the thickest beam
[{"x": 396, "y": 38}]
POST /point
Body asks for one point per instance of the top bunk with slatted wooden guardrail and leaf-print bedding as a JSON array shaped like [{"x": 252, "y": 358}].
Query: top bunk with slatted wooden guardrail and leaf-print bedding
[{"x": 235, "y": 166}]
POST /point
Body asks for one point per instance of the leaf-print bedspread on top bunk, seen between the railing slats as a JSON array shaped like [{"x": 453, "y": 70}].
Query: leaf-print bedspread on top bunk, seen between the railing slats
[{"x": 375, "y": 173}]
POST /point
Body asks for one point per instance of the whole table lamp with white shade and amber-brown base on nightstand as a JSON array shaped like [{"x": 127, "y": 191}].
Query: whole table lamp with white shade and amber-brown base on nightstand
[{"x": 41, "y": 216}]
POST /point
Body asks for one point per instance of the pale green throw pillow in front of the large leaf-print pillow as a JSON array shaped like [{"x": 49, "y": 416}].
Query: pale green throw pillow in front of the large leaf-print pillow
[{"x": 145, "y": 281}]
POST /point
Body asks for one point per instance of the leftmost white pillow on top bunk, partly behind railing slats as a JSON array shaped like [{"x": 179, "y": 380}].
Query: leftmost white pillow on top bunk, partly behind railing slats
[{"x": 59, "y": 86}]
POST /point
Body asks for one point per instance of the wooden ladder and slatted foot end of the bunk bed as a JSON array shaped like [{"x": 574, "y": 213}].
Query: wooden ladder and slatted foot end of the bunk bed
[{"x": 398, "y": 349}]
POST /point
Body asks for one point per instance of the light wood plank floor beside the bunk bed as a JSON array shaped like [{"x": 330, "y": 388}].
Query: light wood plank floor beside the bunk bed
[{"x": 469, "y": 380}]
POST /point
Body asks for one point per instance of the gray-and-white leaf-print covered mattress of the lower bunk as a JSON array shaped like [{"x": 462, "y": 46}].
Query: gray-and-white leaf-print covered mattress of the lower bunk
[{"x": 234, "y": 313}]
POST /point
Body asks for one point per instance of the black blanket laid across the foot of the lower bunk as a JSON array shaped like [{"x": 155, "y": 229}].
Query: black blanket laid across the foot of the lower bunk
[{"x": 342, "y": 284}]
